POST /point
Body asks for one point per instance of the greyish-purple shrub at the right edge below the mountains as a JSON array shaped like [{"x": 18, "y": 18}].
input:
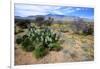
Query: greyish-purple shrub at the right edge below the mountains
[{"x": 80, "y": 27}]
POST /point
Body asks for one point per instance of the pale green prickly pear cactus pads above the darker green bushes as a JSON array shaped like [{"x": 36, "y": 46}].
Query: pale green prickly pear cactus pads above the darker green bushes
[{"x": 44, "y": 37}]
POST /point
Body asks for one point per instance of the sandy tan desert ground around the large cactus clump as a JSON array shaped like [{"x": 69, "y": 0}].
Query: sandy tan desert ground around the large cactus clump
[{"x": 75, "y": 48}]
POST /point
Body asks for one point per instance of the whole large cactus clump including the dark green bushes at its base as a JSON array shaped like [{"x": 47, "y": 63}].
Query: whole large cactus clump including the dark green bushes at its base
[{"x": 40, "y": 40}]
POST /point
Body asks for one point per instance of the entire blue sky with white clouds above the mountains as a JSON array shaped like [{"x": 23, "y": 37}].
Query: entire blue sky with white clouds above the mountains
[{"x": 29, "y": 10}]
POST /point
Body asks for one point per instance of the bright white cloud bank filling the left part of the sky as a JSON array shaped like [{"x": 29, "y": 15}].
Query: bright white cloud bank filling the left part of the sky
[{"x": 34, "y": 9}]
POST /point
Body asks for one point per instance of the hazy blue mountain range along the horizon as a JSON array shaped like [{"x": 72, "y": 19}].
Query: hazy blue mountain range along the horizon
[{"x": 55, "y": 17}]
